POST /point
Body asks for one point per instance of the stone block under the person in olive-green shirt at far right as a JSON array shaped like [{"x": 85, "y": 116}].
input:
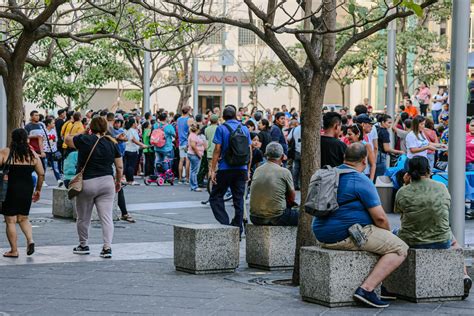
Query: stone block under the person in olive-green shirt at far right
[{"x": 429, "y": 275}]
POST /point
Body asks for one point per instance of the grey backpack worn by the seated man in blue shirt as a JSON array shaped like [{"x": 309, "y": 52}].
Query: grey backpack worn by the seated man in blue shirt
[{"x": 322, "y": 192}]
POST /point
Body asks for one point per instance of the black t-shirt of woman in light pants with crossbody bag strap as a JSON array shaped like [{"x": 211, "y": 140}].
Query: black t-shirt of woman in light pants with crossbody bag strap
[{"x": 102, "y": 158}]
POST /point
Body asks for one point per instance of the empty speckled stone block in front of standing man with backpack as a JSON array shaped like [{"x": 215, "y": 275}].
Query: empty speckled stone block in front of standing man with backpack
[{"x": 206, "y": 248}]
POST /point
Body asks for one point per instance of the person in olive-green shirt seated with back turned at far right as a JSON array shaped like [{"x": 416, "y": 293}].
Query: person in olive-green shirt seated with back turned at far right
[{"x": 424, "y": 206}]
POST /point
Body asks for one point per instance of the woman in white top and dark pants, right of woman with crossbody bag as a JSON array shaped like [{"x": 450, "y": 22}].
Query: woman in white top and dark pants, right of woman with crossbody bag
[{"x": 132, "y": 148}]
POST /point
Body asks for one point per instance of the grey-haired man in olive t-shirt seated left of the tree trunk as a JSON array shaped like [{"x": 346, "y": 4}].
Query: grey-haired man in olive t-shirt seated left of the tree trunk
[{"x": 271, "y": 193}]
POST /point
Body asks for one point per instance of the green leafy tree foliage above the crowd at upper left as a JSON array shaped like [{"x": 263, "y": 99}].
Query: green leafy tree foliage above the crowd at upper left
[{"x": 75, "y": 73}]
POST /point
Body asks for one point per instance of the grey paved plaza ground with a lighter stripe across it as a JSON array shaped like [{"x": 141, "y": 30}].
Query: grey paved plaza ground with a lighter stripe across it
[{"x": 141, "y": 279}]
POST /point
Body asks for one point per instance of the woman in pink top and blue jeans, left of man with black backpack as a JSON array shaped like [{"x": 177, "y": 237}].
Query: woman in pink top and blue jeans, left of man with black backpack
[{"x": 196, "y": 147}]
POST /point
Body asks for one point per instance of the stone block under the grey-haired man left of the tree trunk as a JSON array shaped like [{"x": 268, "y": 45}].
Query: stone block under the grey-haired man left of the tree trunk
[{"x": 270, "y": 247}]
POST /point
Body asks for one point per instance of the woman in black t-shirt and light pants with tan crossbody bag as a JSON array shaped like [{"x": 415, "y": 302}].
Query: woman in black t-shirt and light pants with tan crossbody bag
[{"x": 97, "y": 153}]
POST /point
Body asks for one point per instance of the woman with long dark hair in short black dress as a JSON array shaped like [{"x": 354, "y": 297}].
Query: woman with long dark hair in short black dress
[{"x": 20, "y": 162}]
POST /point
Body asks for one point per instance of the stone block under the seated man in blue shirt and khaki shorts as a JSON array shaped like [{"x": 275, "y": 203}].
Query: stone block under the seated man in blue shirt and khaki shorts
[{"x": 330, "y": 277}]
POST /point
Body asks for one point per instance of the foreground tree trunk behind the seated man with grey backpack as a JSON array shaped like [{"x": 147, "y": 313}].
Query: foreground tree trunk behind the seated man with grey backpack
[{"x": 312, "y": 98}]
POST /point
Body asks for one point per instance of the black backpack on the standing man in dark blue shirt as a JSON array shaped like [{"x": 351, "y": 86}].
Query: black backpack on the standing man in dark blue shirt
[{"x": 238, "y": 153}]
